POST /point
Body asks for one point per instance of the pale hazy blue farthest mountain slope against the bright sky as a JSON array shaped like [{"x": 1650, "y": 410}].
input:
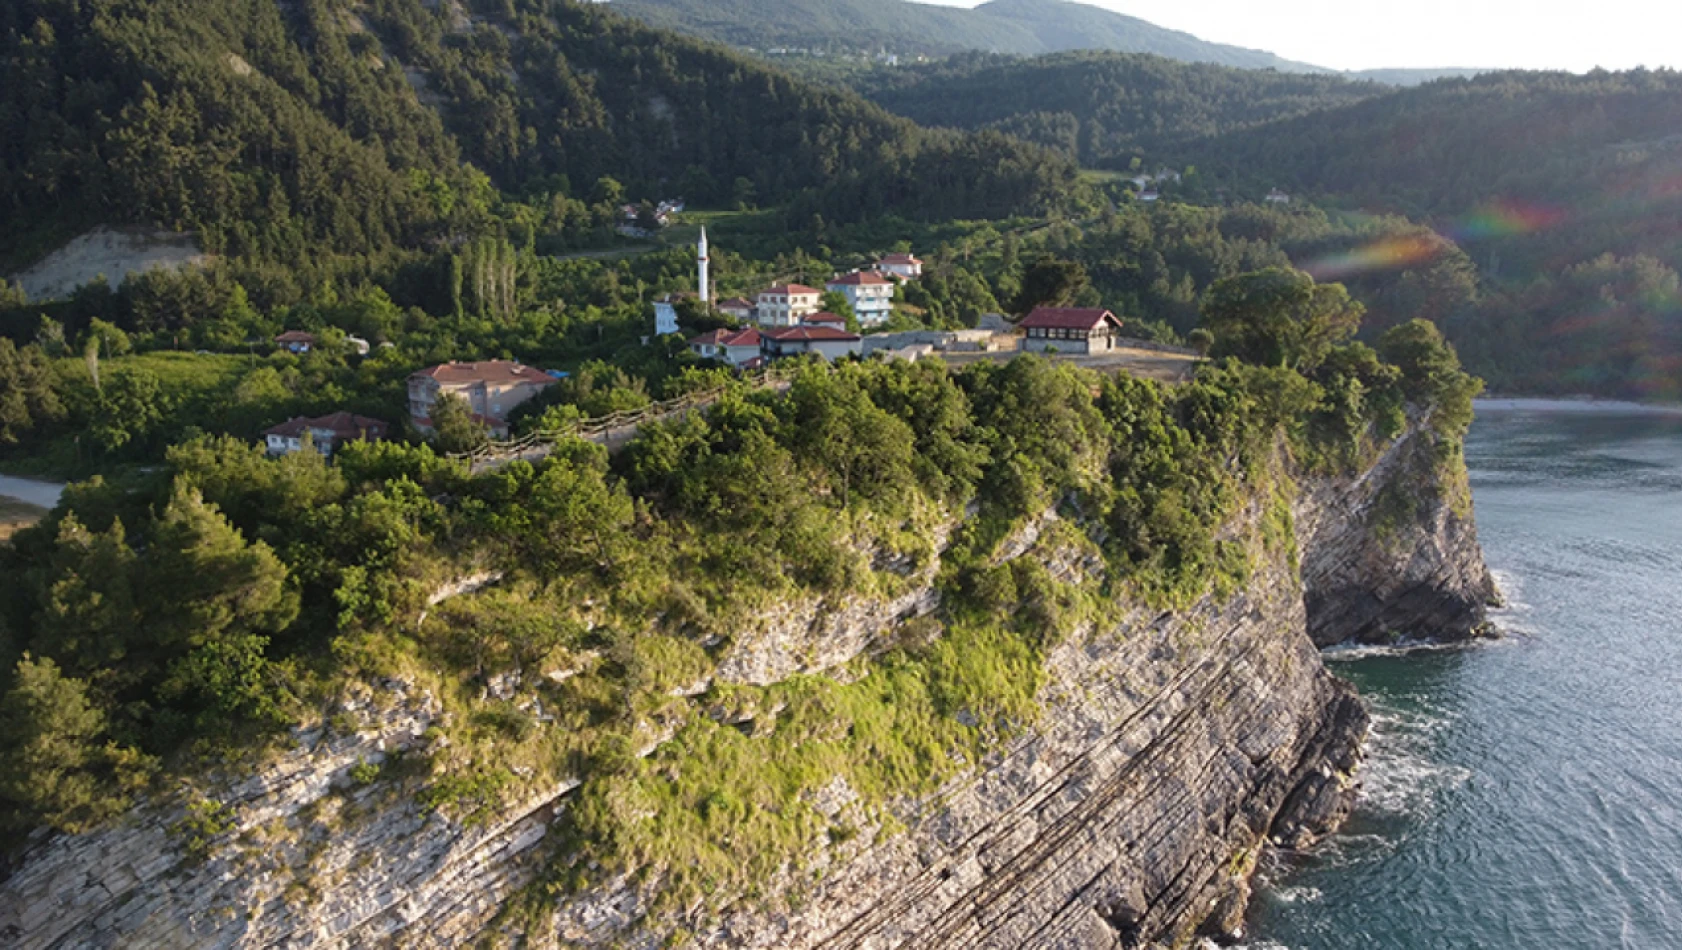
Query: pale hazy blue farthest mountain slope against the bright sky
[{"x": 904, "y": 28}]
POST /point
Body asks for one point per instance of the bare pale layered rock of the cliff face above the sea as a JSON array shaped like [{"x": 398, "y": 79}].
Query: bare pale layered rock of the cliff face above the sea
[{"x": 1170, "y": 751}]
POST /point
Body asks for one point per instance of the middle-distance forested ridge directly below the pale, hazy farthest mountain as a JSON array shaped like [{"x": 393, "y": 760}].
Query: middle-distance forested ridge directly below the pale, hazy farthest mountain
[{"x": 1104, "y": 108}]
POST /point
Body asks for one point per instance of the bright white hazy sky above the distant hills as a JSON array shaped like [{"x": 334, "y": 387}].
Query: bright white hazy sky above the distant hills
[{"x": 1362, "y": 34}]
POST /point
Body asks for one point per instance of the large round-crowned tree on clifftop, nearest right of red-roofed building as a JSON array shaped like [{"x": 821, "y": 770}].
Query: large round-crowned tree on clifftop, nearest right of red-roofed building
[{"x": 1279, "y": 319}]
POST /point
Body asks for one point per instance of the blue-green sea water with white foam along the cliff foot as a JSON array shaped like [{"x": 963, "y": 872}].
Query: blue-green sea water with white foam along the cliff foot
[{"x": 1526, "y": 794}]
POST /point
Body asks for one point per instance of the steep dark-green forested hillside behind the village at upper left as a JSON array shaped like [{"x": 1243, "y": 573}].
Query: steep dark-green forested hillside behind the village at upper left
[{"x": 327, "y": 127}]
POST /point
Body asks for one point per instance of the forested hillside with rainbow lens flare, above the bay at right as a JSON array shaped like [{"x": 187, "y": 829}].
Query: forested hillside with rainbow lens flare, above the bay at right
[{"x": 1565, "y": 191}]
